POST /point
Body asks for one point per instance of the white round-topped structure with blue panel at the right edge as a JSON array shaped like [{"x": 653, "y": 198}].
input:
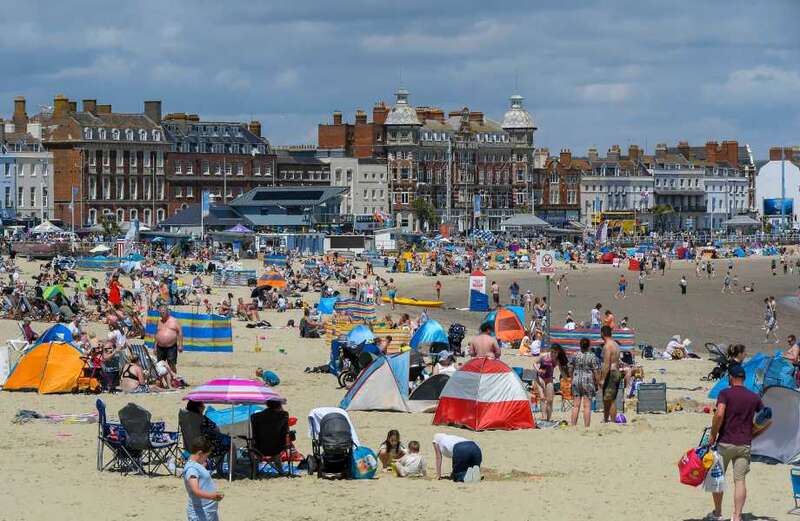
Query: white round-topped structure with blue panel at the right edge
[{"x": 779, "y": 179}]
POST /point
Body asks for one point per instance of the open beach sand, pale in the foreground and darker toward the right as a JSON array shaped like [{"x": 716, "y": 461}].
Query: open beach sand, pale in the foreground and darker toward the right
[{"x": 622, "y": 472}]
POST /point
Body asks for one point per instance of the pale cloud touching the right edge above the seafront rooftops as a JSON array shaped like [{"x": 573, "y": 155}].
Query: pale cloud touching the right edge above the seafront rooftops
[{"x": 761, "y": 85}]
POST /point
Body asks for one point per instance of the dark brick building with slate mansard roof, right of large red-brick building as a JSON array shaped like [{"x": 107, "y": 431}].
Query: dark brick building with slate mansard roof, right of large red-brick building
[{"x": 225, "y": 159}]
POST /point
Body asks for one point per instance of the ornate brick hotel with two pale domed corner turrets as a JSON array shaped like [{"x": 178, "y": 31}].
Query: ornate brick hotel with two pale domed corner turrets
[{"x": 474, "y": 171}]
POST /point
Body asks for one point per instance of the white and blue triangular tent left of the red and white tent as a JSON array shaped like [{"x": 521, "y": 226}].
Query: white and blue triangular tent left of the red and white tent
[{"x": 382, "y": 386}]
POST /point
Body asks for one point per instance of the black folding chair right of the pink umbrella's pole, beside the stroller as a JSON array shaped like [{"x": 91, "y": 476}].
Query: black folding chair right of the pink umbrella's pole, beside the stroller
[{"x": 270, "y": 441}]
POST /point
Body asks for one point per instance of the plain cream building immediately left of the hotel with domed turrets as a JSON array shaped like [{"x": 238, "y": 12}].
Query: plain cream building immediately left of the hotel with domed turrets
[{"x": 368, "y": 183}]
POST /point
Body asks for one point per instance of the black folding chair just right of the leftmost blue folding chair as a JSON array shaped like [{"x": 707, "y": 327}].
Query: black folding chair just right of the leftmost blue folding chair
[{"x": 147, "y": 445}]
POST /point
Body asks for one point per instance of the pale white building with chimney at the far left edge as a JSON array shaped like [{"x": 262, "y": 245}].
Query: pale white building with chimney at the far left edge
[{"x": 26, "y": 168}]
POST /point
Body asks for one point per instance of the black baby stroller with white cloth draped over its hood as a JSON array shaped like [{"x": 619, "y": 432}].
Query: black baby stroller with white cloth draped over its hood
[{"x": 332, "y": 441}]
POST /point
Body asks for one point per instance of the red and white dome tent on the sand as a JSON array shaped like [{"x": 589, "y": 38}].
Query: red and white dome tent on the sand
[{"x": 485, "y": 394}]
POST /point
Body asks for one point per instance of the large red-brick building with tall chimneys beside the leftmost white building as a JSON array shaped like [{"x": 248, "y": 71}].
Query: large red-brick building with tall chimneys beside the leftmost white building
[{"x": 108, "y": 166}]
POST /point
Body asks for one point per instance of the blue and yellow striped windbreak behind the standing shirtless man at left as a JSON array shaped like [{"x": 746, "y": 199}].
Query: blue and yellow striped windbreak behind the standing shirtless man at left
[{"x": 207, "y": 333}]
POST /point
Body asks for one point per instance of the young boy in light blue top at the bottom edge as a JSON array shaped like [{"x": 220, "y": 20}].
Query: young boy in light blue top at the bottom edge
[{"x": 203, "y": 495}]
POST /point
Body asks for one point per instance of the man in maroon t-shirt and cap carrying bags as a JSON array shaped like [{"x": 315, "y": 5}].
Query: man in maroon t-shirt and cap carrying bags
[{"x": 732, "y": 431}]
